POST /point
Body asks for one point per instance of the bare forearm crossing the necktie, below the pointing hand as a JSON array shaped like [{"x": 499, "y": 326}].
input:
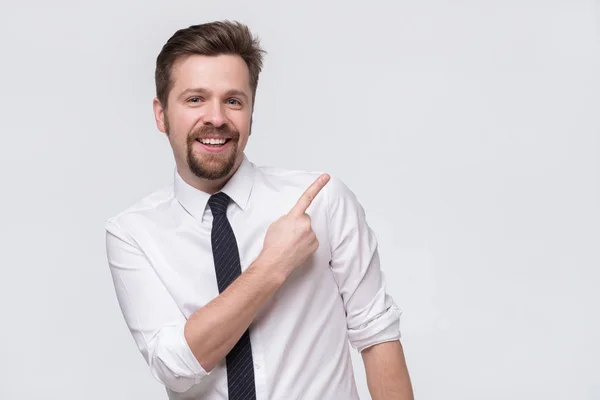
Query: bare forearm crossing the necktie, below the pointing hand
[{"x": 213, "y": 330}]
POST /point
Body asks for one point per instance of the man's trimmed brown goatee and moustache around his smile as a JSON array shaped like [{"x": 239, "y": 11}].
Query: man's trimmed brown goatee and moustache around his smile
[{"x": 212, "y": 166}]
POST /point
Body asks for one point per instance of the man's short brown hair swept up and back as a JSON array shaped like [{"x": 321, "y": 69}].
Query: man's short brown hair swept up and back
[{"x": 209, "y": 39}]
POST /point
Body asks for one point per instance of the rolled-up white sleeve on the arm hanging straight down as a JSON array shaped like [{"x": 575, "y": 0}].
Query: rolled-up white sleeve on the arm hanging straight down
[{"x": 371, "y": 314}]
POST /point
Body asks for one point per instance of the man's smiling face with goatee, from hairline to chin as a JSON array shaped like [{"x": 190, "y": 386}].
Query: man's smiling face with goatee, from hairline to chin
[{"x": 208, "y": 115}]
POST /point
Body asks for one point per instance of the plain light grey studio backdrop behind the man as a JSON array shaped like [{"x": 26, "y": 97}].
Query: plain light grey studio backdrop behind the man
[{"x": 469, "y": 130}]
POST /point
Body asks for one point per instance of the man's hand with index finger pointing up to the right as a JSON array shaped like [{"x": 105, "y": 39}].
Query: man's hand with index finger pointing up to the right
[{"x": 290, "y": 240}]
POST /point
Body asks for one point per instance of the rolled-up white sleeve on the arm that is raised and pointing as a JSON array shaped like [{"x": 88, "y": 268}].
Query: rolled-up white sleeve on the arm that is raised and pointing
[{"x": 151, "y": 314}]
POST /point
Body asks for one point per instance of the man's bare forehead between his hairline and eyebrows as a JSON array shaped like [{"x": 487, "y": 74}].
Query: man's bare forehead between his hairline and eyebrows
[{"x": 215, "y": 73}]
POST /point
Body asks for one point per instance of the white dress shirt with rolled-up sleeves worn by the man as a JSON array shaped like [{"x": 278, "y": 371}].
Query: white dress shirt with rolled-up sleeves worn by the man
[{"x": 160, "y": 258}]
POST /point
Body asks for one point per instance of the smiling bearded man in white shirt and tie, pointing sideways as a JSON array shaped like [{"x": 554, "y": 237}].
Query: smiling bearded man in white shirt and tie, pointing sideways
[{"x": 247, "y": 282}]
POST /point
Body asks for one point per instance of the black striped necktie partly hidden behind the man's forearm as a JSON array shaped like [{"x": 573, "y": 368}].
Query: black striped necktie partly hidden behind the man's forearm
[{"x": 240, "y": 368}]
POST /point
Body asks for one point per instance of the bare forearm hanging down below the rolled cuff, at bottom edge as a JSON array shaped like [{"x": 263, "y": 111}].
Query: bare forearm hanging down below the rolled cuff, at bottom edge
[{"x": 387, "y": 374}]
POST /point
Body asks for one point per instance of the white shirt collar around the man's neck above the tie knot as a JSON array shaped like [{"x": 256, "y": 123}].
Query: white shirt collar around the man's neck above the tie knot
[{"x": 238, "y": 188}]
